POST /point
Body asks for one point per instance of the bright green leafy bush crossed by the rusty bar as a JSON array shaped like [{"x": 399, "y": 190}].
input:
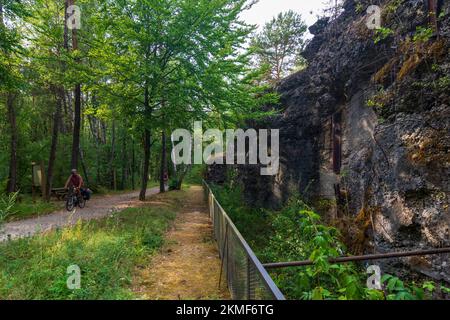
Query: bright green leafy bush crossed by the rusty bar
[{"x": 299, "y": 235}]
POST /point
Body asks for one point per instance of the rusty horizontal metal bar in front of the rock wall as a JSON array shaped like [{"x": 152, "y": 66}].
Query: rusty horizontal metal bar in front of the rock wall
[{"x": 379, "y": 256}]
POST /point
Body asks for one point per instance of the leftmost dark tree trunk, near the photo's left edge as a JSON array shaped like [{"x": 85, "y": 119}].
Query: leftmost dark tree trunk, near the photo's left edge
[{"x": 12, "y": 178}]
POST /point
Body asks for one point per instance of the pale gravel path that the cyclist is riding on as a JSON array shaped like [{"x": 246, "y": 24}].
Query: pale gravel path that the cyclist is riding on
[{"x": 97, "y": 208}]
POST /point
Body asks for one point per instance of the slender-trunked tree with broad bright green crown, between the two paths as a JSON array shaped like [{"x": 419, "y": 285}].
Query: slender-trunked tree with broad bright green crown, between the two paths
[{"x": 182, "y": 63}]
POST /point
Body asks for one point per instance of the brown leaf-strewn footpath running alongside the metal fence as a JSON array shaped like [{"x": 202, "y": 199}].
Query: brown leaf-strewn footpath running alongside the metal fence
[{"x": 188, "y": 266}]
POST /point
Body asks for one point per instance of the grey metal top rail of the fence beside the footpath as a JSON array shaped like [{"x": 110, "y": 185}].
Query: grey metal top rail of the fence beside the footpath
[{"x": 266, "y": 279}]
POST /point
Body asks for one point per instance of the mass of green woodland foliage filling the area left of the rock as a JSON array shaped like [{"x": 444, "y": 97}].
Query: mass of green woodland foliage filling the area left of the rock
[{"x": 145, "y": 65}]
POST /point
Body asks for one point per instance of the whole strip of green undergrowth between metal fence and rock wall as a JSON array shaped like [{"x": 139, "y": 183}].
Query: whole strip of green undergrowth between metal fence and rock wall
[{"x": 296, "y": 233}]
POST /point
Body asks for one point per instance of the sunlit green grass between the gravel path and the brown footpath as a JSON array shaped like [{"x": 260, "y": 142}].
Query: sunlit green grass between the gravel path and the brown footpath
[{"x": 107, "y": 251}]
